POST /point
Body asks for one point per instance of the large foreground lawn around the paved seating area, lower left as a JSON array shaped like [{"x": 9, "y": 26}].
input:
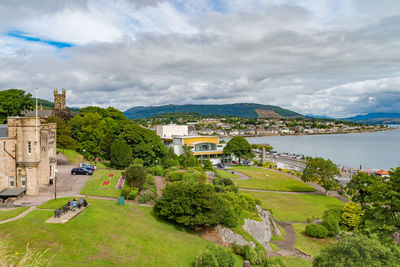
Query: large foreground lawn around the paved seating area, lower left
[{"x": 106, "y": 234}]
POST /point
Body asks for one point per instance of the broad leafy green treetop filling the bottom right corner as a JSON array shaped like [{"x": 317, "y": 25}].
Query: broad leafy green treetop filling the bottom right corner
[{"x": 357, "y": 250}]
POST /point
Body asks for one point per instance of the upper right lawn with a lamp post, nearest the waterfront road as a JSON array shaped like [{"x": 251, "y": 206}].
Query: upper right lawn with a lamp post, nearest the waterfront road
[{"x": 276, "y": 181}]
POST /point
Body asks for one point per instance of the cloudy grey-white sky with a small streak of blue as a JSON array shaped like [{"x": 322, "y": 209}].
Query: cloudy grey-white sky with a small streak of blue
[{"x": 328, "y": 57}]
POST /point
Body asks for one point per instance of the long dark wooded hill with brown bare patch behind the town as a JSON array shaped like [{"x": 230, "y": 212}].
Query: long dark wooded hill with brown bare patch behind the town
[{"x": 245, "y": 110}]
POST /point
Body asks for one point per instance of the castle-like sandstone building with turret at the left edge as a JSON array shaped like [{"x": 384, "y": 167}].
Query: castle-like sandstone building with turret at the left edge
[{"x": 27, "y": 155}]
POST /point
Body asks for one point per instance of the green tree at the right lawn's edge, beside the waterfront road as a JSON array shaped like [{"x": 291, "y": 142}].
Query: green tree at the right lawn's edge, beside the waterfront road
[{"x": 321, "y": 171}]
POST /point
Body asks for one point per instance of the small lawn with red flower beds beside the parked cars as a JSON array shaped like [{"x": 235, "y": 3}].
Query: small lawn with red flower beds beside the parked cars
[{"x": 93, "y": 186}]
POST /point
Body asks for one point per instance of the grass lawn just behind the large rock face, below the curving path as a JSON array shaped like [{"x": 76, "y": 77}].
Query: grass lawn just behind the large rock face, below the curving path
[{"x": 296, "y": 207}]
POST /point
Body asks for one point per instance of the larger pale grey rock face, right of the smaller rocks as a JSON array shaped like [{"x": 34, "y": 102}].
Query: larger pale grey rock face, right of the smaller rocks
[{"x": 262, "y": 231}]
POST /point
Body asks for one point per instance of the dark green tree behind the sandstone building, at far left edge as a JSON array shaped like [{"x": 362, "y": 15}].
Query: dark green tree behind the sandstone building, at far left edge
[{"x": 13, "y": 102}]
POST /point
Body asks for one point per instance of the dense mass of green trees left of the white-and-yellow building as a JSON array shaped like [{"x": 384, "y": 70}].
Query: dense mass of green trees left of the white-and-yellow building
[{"x": 107, "y": 134}]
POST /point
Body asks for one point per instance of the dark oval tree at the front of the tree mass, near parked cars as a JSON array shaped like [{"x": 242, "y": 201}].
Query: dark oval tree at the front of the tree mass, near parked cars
[{"x": 120, "y": 154}]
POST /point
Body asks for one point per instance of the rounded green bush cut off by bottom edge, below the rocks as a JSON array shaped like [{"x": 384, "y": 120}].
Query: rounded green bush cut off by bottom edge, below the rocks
[{"x": 215, "y": 256}]
